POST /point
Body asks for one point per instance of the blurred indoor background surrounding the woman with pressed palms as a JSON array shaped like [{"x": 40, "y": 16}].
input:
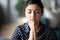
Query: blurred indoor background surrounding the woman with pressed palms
[{"x": 12, "y": 15}]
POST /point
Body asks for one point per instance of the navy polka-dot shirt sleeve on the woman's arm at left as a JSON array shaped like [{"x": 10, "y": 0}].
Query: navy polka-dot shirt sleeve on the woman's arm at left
[{"x": 17, "y": 35}]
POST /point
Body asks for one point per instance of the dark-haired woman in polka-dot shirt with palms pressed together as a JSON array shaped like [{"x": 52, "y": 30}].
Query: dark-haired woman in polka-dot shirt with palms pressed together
[{"x": 34, "y": 29}]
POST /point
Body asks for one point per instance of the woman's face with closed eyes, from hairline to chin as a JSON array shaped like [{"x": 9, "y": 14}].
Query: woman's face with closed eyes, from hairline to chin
[{"x": 33, "y": 13}]
